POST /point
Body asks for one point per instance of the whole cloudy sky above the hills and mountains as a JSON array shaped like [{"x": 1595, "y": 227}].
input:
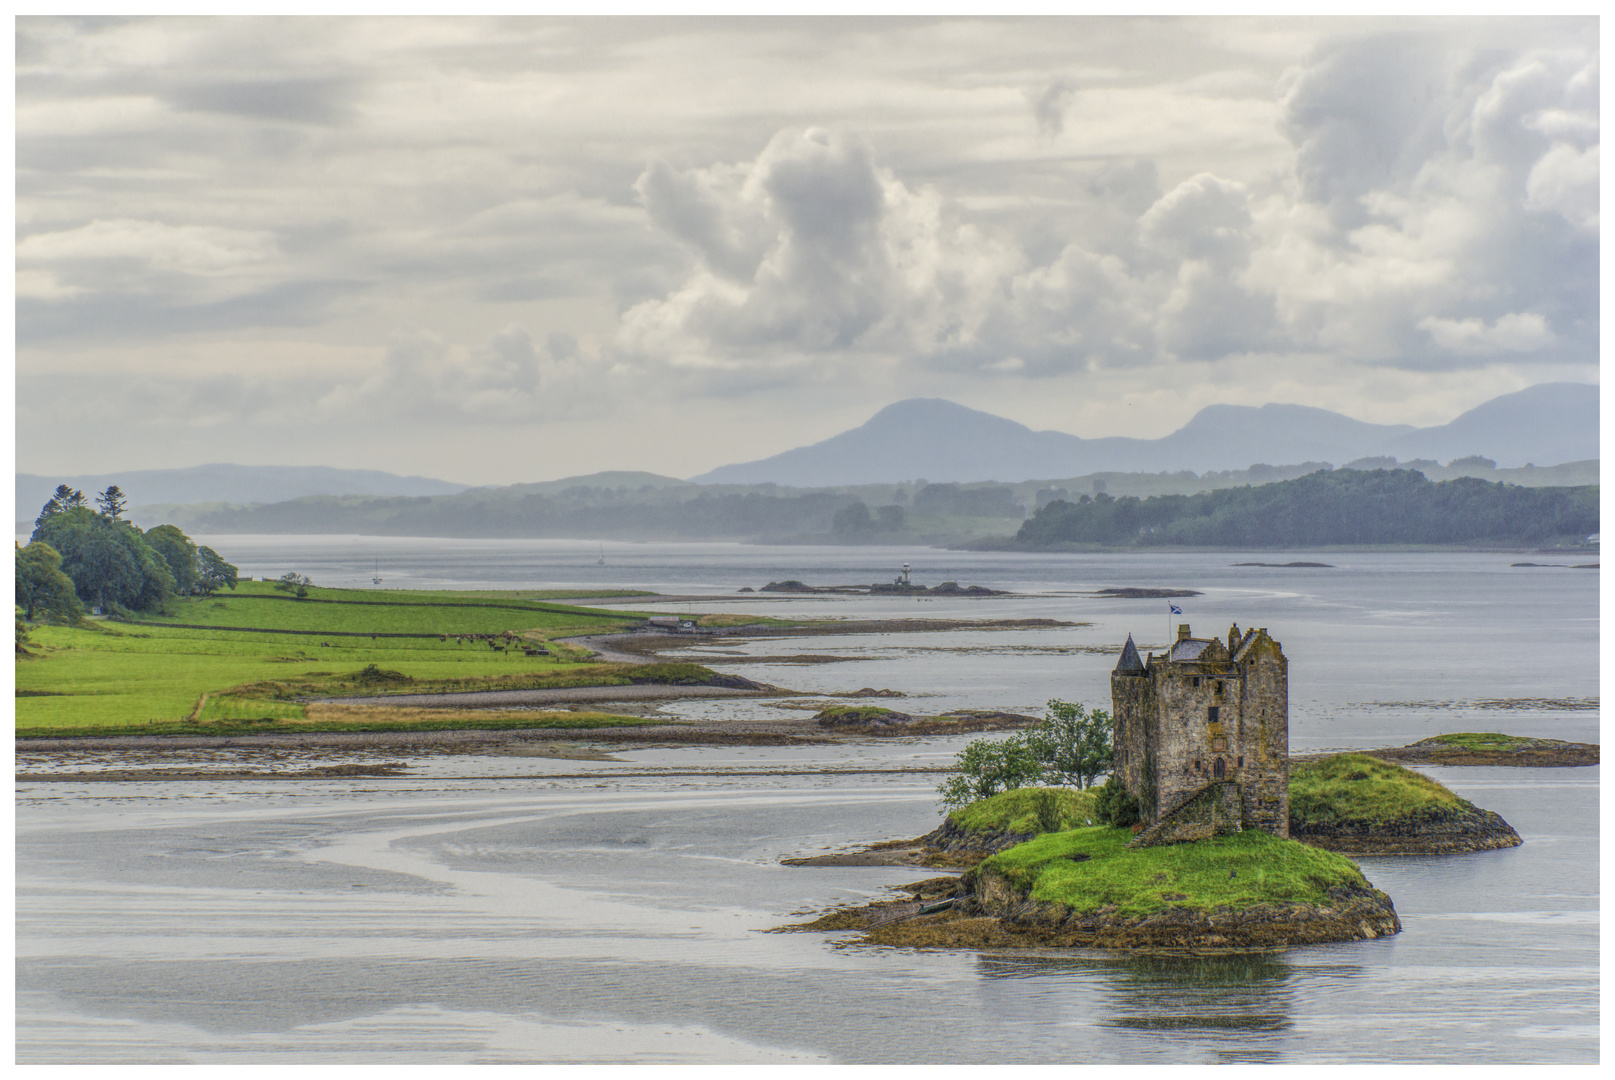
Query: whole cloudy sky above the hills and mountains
[{"x": 500, "y": 251}]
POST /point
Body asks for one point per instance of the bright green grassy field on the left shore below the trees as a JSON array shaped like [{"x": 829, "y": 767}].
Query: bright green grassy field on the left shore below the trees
[{"x": 111, "y": 677}]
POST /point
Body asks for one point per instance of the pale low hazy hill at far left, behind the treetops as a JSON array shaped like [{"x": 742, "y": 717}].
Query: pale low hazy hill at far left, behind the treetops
[{"x": 229, "y": 483}]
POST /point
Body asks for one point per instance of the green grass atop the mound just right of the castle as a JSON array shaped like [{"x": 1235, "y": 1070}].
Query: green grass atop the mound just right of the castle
[{"x": 1365, "y": 790}]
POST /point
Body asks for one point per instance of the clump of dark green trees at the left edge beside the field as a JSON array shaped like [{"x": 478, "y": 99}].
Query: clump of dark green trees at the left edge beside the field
[{"x": 94, "y": 558}]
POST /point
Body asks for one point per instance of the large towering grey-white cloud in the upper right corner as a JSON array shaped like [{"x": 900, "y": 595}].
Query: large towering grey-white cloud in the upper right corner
[{"x": 1459, "y": 186}]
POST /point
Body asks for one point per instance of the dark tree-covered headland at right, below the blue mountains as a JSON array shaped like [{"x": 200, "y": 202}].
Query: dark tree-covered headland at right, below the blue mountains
[{"x": 1323, "y": 509}]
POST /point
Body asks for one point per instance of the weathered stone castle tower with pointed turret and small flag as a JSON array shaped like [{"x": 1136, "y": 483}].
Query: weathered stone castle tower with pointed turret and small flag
[{"x": 1202, "y": 735}]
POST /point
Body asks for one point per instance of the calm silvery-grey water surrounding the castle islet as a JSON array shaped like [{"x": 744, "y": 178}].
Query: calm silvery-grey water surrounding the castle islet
[{"x": 495, "y": 910}]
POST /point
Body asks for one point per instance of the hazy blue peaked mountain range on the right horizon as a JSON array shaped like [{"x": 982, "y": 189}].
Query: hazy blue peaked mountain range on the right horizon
[{"x": 942, "y": 442}]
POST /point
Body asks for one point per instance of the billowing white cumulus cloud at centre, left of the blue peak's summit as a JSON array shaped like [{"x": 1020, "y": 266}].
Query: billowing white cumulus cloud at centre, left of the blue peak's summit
[{"x": 810, "y": 249}]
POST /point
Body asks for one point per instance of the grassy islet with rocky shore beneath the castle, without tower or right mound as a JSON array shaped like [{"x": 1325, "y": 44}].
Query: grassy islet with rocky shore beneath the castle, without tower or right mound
[{"x": 1093, "y": 885}]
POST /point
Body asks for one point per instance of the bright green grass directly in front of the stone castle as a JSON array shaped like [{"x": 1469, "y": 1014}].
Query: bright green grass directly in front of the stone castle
[{"x": 1093, "y": 869}]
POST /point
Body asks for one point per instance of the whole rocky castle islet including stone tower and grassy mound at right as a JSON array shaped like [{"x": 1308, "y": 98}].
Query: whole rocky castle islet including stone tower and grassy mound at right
[{"x": 1235, "y": 848}]
